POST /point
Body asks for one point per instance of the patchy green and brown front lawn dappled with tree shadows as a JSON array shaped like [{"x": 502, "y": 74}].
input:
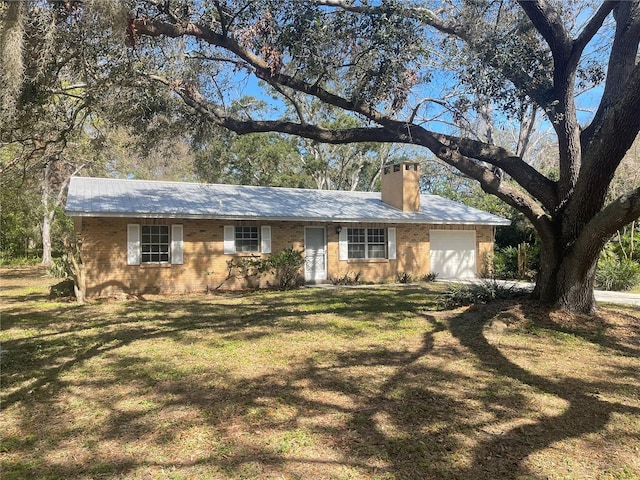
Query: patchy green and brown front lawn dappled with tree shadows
[{"x": 314, "y": 384}]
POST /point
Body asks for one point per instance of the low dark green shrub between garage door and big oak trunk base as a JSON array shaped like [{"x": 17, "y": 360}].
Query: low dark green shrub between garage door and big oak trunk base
[{"x": 485, "y": 291}]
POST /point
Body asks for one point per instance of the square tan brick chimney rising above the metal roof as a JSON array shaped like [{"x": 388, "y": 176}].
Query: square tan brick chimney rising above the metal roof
[{"x": 401, "y": 186}]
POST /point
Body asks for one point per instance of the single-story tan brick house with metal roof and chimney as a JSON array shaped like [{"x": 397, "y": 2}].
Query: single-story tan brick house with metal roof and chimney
[{"x": 159, "y": 237}]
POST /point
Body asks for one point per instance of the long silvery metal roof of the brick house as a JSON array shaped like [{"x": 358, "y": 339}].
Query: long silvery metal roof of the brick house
[{"x": 106, "y": 197}]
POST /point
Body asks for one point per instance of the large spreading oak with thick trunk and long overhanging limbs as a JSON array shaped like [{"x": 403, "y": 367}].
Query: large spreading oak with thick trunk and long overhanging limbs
[{"x": 418, "y": 73}]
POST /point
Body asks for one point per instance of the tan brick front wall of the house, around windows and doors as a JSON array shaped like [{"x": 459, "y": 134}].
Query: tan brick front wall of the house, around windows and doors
[{"x": 104, "y": 252}]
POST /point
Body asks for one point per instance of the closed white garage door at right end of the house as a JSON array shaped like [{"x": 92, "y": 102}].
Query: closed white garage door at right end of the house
[{"x": 453, "y": 253}]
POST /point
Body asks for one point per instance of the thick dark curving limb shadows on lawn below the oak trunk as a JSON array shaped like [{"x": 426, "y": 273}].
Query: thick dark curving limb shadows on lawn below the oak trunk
[{"x": 585, "y": 412}]
